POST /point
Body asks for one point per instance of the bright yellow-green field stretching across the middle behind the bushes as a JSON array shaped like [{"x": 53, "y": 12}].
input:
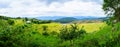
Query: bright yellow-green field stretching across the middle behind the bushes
[{"x": 89, "y": 27}]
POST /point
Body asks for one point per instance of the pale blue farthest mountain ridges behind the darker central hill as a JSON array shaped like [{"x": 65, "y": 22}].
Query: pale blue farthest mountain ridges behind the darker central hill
[{"x": 74, "y": 17}]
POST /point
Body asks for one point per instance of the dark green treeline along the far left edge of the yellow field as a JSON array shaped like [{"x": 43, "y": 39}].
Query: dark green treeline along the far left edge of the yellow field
[{"x": 26, "y": 20}]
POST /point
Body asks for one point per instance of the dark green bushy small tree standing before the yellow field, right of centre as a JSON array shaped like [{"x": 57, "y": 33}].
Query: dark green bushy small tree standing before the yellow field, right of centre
[{"x": 71, "y": 33}]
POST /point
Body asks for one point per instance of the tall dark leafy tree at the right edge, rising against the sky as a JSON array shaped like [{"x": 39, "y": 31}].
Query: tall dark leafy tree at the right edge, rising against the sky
[{"x": 112, "y": 9}]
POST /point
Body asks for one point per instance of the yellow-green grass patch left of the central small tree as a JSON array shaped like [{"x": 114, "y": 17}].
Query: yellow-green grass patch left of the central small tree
[{"x": 51, "y": 27}]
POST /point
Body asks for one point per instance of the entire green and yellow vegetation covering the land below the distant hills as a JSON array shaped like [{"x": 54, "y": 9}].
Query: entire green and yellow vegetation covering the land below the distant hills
[{"x": 18, "y": 33}]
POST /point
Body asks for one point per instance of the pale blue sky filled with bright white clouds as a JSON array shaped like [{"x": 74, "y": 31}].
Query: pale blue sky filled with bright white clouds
[{"x": 36, "y": 8}]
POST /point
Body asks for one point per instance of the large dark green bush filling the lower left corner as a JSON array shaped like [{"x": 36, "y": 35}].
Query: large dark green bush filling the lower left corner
[{"x": 16, "y": 37}]
